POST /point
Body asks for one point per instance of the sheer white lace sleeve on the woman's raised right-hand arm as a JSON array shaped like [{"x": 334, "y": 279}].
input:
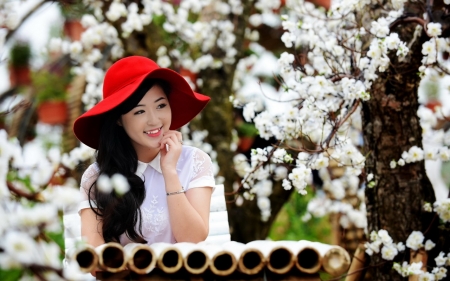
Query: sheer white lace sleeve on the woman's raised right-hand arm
[{"x": 202, "y": 174}]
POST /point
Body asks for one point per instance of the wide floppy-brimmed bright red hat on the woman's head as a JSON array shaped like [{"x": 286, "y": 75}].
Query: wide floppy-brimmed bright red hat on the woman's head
[{"x": 122, "y": 79}]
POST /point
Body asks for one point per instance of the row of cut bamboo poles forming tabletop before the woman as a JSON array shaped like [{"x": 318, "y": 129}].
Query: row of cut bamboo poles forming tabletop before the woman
[{"x": 221, "y": 260}]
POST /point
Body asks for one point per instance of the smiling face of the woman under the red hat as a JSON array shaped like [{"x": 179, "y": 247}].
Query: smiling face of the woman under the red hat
[{"x": 146, "y": 123}]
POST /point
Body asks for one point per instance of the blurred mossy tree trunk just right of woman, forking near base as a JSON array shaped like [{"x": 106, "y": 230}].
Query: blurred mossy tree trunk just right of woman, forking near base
[{"x": 217, "y": 118}]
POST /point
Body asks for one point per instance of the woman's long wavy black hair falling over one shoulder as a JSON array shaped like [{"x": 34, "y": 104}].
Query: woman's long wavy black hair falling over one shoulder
[{"x": 116, "y": 154}]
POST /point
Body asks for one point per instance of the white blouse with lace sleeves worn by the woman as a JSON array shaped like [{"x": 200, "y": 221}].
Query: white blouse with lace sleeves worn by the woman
[{"x": 194, "y": 169}]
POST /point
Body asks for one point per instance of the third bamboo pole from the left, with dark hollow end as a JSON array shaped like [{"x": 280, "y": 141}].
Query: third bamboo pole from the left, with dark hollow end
[{"x": 140, "y": 258}]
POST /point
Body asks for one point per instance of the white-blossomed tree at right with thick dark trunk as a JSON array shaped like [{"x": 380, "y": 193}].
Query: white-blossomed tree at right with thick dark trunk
[{"x": 368, "y": 58}]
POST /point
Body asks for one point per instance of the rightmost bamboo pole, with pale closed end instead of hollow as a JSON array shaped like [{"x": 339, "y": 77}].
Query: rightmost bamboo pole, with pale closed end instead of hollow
[{"x": 335, "y": 259}]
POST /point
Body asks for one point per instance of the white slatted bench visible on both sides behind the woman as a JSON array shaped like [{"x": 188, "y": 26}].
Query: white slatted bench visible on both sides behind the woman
[{"x": 219, "y": 231}]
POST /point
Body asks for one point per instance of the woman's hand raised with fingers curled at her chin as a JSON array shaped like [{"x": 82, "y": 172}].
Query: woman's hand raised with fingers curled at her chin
[{"x": 170, "y": 146}]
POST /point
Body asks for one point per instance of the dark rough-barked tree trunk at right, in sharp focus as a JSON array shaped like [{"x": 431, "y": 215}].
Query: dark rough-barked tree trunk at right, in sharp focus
[{"x": 391, "y": 126}]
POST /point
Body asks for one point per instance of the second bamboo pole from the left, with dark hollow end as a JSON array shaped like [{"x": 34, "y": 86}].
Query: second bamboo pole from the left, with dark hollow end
[{"x": 111, "y": 257}]
